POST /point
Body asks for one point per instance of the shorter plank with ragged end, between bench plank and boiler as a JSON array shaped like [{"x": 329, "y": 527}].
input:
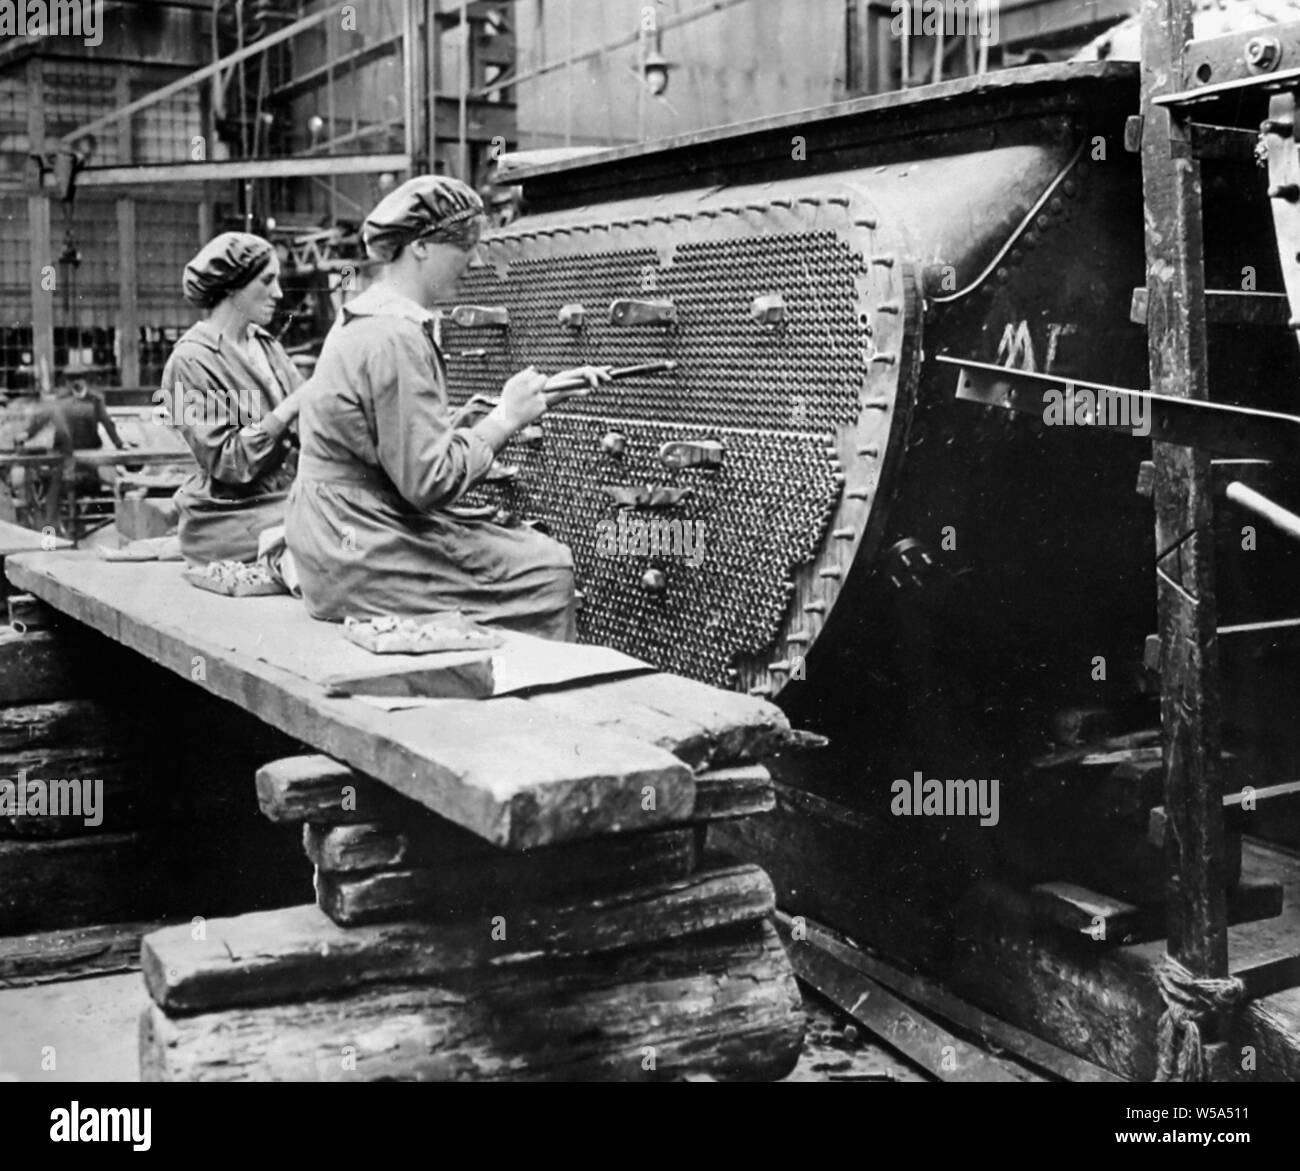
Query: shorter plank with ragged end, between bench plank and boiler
[{"x": 703, "y": 726}]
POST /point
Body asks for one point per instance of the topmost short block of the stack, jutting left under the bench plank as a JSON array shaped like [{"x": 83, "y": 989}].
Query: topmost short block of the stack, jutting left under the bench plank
[{"x": 328, "y": 793}]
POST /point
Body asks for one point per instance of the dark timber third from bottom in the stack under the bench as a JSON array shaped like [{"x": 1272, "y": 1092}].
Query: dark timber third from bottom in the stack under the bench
[{"x": 496, "y": 882}]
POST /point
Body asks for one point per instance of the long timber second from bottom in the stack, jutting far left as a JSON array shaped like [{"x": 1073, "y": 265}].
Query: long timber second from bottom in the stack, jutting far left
[{"x": 297, "y": 953}]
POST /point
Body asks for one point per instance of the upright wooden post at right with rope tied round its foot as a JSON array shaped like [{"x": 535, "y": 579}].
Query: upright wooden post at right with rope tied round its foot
[{"x": 1185, "y": 510}]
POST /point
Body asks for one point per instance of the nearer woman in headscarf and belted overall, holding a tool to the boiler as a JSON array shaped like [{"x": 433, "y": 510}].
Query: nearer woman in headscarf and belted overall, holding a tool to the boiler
[{"x": 372, "y": 519}]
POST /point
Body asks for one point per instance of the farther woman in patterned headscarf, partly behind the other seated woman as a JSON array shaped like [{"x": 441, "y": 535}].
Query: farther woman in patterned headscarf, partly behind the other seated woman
[{"x": 235, "y": 394}]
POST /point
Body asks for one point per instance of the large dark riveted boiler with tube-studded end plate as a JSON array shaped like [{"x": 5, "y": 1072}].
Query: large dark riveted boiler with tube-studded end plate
[{"x": 874, "y": 549}]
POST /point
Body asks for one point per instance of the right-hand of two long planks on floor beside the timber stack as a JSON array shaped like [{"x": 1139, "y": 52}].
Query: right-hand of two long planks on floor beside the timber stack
[{"x": 938, "y": 1000}]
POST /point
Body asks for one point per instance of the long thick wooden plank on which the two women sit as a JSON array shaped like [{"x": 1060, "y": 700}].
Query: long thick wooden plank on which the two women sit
[{"x": 512, "y": 773}]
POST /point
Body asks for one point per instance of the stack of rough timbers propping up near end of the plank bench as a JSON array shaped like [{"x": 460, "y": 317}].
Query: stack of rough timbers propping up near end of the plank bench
[{"x": 435, "y": 955}]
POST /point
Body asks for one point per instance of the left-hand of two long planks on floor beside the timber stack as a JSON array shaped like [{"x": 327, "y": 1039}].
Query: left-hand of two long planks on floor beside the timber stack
[{"x": 896, "y": 1023}]
